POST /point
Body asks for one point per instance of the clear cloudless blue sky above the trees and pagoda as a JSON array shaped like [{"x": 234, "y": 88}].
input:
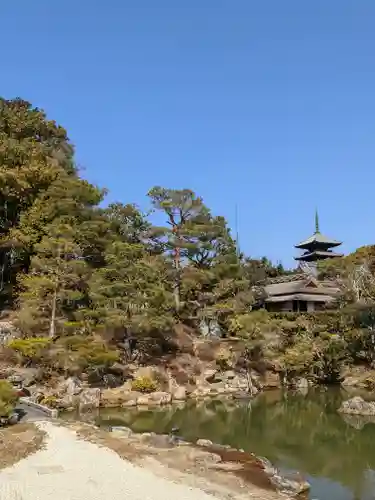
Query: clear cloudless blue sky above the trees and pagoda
[{"x": 267, "y": 104}]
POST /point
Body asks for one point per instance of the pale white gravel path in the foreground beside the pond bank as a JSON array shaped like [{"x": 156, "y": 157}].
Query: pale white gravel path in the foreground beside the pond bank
[{"x": 72, "y": 469}]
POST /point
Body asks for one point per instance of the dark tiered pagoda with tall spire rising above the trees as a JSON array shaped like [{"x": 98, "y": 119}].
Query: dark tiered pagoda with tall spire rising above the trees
[{"x": 317, "y": 247}]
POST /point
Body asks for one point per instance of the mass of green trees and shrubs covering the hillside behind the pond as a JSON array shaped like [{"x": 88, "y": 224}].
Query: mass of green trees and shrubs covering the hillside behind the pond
[{"x": 95, "y": 285}]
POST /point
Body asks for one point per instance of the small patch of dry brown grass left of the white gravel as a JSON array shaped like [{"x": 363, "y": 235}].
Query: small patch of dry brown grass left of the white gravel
[{"x": 18, "y": 442}]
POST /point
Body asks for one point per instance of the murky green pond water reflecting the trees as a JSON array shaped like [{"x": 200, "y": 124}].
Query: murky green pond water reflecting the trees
[{"x": 296, "y": 432}]
